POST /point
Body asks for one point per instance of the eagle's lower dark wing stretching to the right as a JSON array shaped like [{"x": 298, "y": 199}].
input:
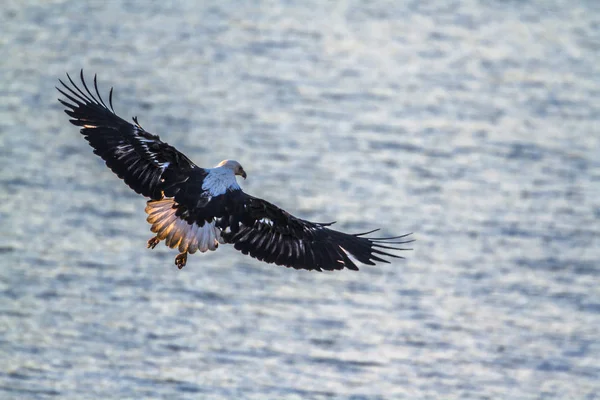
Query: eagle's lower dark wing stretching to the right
[{"x": 270, "y": 234}]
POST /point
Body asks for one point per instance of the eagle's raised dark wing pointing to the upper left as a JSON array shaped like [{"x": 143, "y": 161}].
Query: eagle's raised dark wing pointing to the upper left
[{"x": 148, "y": 165}]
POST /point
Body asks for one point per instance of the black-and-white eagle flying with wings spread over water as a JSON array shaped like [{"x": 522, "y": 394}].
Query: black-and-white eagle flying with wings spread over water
[{"x": 192, "y": 208}]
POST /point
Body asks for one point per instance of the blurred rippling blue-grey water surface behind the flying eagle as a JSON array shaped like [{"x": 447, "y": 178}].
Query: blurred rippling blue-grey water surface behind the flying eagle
[{"x": 474, "y": 124}]
